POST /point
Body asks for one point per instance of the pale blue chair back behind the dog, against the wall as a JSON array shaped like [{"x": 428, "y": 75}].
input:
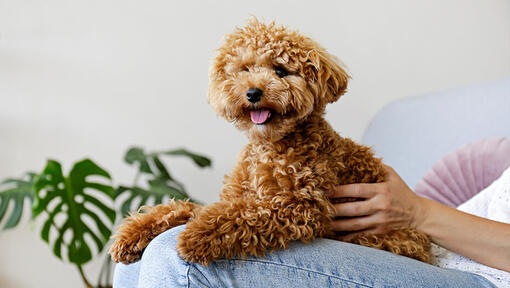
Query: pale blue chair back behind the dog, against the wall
[{"x": 413, "y": 133}]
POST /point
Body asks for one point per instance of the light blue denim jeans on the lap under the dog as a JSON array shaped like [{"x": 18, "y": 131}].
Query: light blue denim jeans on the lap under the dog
[{"x": 323, "y": 263}]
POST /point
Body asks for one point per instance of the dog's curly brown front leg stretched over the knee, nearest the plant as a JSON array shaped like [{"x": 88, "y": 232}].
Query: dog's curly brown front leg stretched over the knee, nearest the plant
[{"x": 135, "y": 233}]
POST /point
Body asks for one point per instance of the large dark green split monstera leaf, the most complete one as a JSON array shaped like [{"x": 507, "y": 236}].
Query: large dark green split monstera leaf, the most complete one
[{"x": 71, "y": 200}]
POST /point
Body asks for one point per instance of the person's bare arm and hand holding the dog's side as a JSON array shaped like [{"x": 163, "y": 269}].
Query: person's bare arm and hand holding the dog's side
[{"x": 393, "y": 204}]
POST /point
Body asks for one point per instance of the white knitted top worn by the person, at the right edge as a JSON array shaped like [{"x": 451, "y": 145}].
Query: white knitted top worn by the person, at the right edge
[{"x": 492, "y": 203}]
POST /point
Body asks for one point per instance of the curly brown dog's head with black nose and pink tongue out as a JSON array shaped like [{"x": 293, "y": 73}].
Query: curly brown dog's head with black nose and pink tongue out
[{"x": 267, "y": 79}]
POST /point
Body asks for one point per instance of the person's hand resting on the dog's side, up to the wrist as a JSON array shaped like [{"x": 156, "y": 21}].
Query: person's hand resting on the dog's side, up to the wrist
[{"x": 387, "y": 205}]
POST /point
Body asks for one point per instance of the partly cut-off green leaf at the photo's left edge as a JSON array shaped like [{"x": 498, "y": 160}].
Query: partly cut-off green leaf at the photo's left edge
[{"x": 16, "y": 191}]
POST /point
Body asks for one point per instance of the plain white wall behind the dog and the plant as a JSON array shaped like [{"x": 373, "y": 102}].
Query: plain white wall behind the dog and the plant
[{"x": 90, "y": 78}]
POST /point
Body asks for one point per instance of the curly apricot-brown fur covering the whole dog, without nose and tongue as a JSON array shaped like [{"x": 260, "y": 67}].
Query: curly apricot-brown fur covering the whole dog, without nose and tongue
[{"x": 276, "y": 193}]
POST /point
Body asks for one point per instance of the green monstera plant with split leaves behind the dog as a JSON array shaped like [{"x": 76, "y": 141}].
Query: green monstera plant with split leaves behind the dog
[{"x": 82, "y": 208}]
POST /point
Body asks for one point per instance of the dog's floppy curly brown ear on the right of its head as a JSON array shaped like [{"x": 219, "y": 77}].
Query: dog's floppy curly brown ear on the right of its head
[{"x": 328, "y": 74}]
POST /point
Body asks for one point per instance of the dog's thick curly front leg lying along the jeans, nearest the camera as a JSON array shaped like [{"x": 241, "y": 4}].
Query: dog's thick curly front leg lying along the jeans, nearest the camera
[{"x": 239, "y": 228}]
